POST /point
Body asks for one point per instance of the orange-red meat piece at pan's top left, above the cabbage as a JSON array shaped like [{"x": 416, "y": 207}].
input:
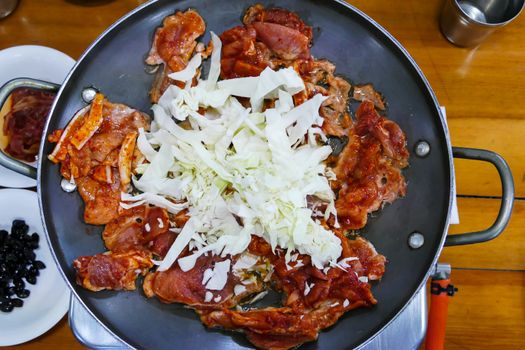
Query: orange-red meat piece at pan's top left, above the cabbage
[{"x": 173, "y": 46}]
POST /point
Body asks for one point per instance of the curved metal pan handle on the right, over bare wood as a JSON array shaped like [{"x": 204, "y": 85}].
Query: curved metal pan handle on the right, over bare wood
[{"x": 507, "y": 199}]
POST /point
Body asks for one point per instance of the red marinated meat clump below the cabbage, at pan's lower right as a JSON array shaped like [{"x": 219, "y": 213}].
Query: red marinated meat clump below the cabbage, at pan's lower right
[{"x": 315, "y": 299}]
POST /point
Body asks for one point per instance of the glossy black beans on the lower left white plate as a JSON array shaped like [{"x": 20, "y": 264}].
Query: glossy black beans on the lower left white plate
[{"x": 17, "y": 262}]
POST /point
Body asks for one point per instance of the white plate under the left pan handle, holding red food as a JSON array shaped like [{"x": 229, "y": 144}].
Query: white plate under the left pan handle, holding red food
[{"x": 30, "y": 61}]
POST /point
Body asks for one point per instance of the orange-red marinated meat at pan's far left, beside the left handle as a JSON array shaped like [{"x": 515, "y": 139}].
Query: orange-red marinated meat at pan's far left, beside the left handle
[{"x": 89, "y": 151}]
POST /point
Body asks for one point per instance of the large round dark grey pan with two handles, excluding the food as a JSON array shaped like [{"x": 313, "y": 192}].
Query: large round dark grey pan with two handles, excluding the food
[{"x": 363, "y": 52}]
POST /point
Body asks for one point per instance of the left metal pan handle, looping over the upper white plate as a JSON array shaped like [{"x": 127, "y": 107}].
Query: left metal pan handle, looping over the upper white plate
[{"x": 6, "y": 90}]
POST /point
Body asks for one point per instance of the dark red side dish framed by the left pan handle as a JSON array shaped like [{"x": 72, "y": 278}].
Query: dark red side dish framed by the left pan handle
[{"x": 24, "y": 122}]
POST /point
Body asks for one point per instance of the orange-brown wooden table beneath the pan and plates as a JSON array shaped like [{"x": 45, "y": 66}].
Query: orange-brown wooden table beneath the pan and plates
[{"x": 482, "y": 89}]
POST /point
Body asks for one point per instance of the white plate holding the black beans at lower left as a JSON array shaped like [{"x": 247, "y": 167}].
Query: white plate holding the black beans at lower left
[{"x": 49, "y": 298}]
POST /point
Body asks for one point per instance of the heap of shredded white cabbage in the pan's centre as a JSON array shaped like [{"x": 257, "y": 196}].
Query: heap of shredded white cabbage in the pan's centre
[{"x": 239, "y": 171}]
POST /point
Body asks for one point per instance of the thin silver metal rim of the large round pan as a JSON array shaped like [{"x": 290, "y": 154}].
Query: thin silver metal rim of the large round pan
[{"x": 390, "y": 38}]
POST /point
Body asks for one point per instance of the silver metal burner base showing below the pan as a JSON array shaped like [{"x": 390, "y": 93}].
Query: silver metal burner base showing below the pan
[{"x": 407, "y": 331}]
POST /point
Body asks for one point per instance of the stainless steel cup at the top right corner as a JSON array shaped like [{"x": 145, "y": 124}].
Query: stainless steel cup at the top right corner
[{"x": 468, "y": 22}]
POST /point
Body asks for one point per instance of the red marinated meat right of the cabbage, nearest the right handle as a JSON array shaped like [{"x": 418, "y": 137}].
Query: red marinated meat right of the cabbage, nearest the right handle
[{"x": 369, "y": 168}]
